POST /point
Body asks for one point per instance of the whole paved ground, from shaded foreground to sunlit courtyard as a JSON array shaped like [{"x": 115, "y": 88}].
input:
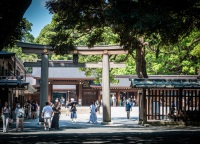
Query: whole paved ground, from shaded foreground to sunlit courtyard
[{"x": 121, "y": 131}]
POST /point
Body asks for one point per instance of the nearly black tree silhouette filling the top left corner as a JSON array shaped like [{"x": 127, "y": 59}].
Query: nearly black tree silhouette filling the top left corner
[{"x": 11, "y": 24}]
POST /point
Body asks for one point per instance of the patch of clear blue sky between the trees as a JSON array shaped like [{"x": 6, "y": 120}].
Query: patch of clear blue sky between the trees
[{"x": 38, "y": 15}]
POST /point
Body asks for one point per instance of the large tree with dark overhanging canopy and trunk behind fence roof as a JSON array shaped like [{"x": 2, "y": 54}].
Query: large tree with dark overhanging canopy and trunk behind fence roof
[{"x": 133, "y": 21}]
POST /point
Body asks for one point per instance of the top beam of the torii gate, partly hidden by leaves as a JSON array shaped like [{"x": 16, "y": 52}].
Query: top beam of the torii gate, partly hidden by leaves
[{"x": 81, "y": 50}]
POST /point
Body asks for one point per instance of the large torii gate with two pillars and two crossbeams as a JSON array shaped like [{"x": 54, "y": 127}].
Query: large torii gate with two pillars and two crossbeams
[{"x": 97, "y": 50}]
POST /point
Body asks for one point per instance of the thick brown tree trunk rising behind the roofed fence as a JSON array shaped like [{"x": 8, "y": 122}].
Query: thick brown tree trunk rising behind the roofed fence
[{"x": 141, "y": 63}]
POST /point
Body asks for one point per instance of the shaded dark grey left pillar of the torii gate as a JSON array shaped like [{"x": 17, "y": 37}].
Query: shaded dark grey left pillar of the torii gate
[{"x": 43, "y": 84}]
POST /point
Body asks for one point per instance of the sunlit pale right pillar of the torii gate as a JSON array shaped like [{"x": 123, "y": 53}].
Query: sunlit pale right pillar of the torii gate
[{"x": 106, "y": 90}]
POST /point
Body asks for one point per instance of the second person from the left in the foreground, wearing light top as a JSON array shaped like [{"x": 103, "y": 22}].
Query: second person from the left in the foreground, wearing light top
[{"x": 19, "y": 111}]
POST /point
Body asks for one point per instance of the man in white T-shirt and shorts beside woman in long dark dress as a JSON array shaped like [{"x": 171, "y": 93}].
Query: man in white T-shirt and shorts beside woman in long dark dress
[{"x": 46, "y": 114}]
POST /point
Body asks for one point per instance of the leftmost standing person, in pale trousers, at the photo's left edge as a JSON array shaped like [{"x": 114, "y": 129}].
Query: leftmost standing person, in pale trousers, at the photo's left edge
[{"x": 5, "y": 116}]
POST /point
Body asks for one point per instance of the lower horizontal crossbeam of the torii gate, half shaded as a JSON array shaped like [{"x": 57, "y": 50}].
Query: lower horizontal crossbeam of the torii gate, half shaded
[{"x": 86, "y": 65}]
